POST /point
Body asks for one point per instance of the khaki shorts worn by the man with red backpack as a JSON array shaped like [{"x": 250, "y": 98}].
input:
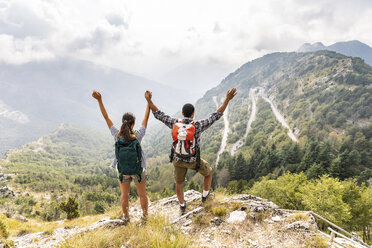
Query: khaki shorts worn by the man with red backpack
[{"x": 180, "y": 169}]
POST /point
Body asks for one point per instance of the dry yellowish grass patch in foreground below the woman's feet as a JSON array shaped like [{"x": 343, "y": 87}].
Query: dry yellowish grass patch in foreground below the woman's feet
[{"x": 156, "y": 233}]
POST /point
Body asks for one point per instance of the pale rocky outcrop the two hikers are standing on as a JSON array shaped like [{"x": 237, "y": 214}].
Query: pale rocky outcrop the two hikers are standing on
[{"x": 237, "y": 221}]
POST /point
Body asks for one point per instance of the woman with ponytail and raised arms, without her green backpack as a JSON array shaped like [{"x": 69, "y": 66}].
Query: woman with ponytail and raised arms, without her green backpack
[{"x": 126, "y": 131}]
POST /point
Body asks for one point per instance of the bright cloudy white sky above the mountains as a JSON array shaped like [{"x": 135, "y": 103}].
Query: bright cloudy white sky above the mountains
[{"x": 189, "y": 44}]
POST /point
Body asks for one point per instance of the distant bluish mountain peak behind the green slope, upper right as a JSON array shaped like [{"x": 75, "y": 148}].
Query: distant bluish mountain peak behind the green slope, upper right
[{"x": 353, "y": 48}]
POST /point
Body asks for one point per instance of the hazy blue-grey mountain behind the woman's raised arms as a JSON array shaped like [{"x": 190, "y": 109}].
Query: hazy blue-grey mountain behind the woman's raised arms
[{"x": 38, "y": 96}]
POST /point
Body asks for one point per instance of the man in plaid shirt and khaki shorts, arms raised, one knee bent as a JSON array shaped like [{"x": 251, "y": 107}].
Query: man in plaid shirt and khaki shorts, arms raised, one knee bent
[{"x": 182, "y": 163}]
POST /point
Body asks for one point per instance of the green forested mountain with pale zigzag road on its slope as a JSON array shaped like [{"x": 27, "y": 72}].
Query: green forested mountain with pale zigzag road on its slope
[{"x": 290, "y": 109}]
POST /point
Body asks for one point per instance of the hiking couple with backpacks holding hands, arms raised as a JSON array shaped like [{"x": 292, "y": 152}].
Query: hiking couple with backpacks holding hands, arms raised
[{"x": 130, "y": 160}]
